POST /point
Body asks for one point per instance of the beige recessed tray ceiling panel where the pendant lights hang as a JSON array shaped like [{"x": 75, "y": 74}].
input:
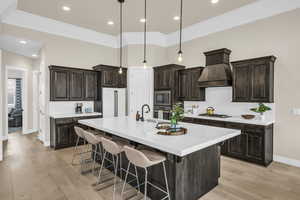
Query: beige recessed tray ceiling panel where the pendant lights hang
[{"x": 94, "y": 14}]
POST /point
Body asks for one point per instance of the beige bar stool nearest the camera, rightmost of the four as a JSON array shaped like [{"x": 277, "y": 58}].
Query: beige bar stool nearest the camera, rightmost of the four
[{"x": 145, "y": 159}]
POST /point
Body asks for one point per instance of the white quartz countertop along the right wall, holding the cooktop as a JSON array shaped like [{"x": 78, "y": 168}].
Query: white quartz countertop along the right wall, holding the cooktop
[{"x": 238, "y": 119}]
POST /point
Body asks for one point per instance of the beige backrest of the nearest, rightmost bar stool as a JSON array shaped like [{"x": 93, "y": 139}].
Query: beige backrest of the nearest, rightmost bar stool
[{"x": 136, "y": 157}]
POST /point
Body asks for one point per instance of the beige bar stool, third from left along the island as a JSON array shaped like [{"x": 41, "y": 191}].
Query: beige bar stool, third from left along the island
[{"x": 114, "y": 148}]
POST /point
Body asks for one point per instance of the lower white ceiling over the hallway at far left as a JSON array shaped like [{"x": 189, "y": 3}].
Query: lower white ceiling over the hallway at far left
[{"x": 12, "y": 44}]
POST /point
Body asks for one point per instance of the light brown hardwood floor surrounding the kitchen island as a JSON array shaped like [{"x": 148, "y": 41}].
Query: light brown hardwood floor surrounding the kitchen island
[{"x": 33, "y": 172}]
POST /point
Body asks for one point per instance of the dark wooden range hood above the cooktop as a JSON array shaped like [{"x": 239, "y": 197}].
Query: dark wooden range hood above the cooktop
[{"x": 217, "y": 72}]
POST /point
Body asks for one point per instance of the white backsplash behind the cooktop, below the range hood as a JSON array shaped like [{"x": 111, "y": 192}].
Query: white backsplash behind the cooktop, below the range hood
[{"x": 221, "y": 99}]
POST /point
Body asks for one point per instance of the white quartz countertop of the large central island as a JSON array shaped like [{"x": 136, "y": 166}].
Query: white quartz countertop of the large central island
[{"x": 198, "y": 136}]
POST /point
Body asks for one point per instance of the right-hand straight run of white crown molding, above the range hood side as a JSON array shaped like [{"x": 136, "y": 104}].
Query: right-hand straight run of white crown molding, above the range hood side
[{"x": 250, "y": 13}]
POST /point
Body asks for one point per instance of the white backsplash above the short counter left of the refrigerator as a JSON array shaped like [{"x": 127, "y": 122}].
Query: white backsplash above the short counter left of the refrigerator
[{"x": 61, "y": 107}]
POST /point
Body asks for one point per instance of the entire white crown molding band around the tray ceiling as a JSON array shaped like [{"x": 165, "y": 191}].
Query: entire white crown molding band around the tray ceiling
[{"x": 244, "y": 15}]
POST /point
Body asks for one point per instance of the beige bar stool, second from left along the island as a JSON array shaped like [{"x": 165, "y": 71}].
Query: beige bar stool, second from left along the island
[{"x": 95, "y": 141}]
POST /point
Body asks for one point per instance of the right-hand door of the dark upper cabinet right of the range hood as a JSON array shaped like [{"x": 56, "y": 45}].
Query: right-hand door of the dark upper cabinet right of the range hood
[{"x": 260, "y": 73}]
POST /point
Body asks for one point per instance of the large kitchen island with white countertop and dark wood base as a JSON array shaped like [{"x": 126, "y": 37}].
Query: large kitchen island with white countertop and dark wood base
[{"x": 193, "y": 160}]
